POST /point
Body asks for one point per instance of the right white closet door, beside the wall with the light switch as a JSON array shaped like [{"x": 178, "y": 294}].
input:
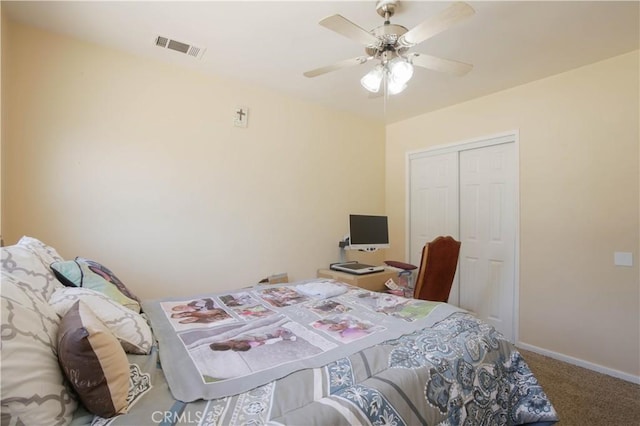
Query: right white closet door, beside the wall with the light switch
[{"x": 488, "y": 234}]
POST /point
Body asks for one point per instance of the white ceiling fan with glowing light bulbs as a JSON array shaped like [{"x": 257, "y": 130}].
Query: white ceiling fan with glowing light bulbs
[{"x": 390, "y": 44}]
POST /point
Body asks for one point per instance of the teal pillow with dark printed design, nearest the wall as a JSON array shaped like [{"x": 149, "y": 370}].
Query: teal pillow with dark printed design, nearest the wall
[{"x": 75, "y": 273}]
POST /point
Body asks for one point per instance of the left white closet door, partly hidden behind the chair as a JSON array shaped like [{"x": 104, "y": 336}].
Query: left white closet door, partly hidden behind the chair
[{"x": 434, "y": 204}]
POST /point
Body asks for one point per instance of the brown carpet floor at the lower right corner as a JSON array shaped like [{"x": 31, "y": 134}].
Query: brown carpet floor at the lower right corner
[{"x": 584, "y": 397}]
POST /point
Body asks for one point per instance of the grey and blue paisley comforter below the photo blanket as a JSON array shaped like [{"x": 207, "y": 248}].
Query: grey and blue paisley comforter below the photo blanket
[{"x": 461, "y": 371}]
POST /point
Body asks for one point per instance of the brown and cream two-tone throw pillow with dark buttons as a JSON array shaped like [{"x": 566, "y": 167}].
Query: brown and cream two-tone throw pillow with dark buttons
[{"x": 94, "y": 362}]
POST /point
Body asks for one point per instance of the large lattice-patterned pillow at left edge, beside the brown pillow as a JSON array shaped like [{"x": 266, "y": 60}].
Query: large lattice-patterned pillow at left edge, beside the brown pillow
[{"x": 33, "y": 386}]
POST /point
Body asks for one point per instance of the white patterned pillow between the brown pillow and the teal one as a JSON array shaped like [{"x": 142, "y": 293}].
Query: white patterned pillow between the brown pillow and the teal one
[{"x": 129, "y": 327}]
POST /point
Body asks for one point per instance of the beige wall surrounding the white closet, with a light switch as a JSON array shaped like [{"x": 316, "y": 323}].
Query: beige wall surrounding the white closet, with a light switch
[{"x": 579, "y": 203}]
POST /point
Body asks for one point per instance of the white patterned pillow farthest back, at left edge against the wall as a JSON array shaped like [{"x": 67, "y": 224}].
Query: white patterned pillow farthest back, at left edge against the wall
[{"x": 29, "y": 261}]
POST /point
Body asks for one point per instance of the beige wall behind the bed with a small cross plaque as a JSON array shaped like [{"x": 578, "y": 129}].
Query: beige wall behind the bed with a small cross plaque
[{"x": 137, "y": 164}]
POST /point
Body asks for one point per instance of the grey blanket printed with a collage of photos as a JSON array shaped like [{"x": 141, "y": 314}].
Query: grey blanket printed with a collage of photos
[{"x": 216, "y": 345}]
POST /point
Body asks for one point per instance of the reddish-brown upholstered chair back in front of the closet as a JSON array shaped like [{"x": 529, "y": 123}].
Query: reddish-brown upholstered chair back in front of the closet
[{"x": 437, "y": 269}]
